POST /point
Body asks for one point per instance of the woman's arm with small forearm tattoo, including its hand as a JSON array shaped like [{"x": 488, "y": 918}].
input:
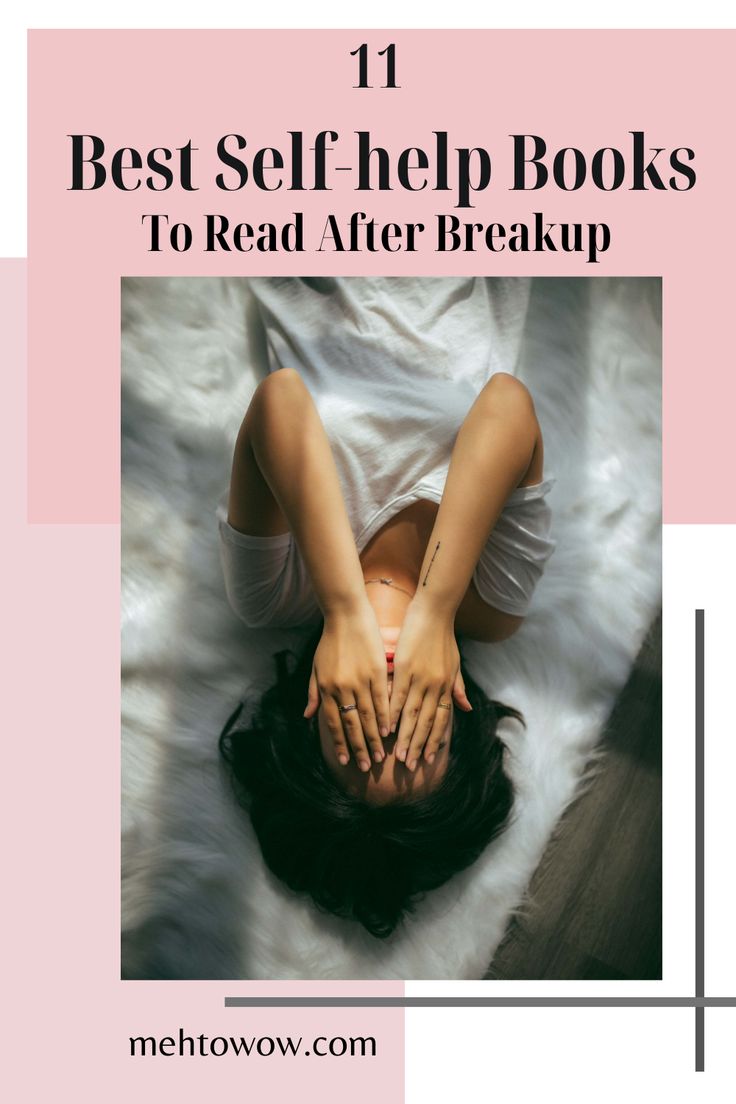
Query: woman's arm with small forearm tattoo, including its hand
[{"x": 498, "y": 449}]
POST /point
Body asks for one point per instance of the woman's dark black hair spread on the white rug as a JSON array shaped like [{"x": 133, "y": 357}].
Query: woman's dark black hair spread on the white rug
[{"x": 358, "y": 861}]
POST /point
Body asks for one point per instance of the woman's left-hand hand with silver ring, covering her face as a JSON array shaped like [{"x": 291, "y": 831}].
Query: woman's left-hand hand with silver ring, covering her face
[{"x": 350, "y": 670}]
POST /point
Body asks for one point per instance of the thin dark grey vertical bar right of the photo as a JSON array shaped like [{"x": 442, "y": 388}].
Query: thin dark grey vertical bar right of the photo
[{"x": 700, "y": 836}]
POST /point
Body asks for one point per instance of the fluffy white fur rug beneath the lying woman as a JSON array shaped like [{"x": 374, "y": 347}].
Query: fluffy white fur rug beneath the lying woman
[{"x": 198, "y": 901}]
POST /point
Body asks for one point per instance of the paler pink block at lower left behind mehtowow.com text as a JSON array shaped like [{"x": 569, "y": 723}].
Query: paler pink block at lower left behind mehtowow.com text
[{"x": 71, "y": 1012}]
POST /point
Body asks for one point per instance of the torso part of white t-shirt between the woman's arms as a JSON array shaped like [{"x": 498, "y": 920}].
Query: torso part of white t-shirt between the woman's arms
[{"x": 393, "y": 365}]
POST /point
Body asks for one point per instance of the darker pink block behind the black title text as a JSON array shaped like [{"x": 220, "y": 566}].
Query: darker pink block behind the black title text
[{"x": 583, "y": 89}]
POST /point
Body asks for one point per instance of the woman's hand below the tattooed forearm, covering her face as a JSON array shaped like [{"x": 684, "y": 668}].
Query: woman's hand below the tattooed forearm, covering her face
[{"x": 426, "y": 676}]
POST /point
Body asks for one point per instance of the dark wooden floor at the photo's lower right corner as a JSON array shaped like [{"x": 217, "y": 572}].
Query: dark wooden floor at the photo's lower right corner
[{"x": 595, "y": 909}]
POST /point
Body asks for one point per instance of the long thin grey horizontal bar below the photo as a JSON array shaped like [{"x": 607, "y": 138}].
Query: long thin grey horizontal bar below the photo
[{"x": 481, "y": 1002}]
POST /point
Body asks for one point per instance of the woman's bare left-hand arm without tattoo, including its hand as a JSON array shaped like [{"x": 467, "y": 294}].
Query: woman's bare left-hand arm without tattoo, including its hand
[{"x": 284, "y": 479}]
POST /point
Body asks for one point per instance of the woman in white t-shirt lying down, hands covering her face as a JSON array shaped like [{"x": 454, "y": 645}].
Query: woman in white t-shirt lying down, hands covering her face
[{"x": 388, "y": 487}]
